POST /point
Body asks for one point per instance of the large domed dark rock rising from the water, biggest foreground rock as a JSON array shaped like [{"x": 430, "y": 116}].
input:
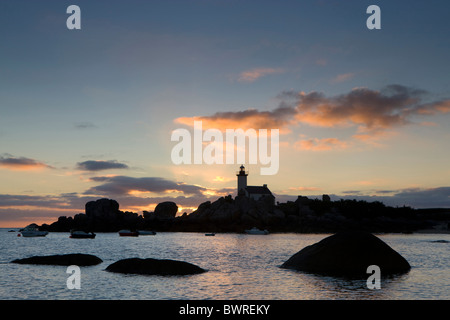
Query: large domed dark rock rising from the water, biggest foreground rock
[{"x": 348, "y": 254}]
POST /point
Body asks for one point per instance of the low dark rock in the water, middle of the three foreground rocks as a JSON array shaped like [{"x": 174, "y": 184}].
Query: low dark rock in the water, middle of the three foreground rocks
[{"x": 154, "y": 267}]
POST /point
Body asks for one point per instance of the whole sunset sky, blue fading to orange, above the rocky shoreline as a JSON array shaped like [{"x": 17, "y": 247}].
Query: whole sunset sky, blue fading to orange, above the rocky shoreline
[{"x": 89, "y": 113}]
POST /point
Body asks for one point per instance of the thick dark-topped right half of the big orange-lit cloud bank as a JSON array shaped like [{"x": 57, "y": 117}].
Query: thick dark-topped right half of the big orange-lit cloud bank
[{"x": 366, "y": 109}]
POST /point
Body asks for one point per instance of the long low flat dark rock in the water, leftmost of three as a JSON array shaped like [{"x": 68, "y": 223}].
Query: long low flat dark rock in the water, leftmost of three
[{"x": 62, "y": 260}]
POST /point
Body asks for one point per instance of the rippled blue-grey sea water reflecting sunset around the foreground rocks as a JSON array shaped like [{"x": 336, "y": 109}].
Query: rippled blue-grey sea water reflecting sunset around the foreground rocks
[{"x": 239, "y": 266}]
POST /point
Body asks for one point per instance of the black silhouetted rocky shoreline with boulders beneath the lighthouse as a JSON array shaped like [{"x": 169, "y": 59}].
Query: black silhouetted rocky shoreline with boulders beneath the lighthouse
[{"x": 235, "y": 215}]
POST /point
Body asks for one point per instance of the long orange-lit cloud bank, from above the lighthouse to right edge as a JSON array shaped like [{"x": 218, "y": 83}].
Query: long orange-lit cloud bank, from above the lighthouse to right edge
[{"x": 367, "y": 111}]
